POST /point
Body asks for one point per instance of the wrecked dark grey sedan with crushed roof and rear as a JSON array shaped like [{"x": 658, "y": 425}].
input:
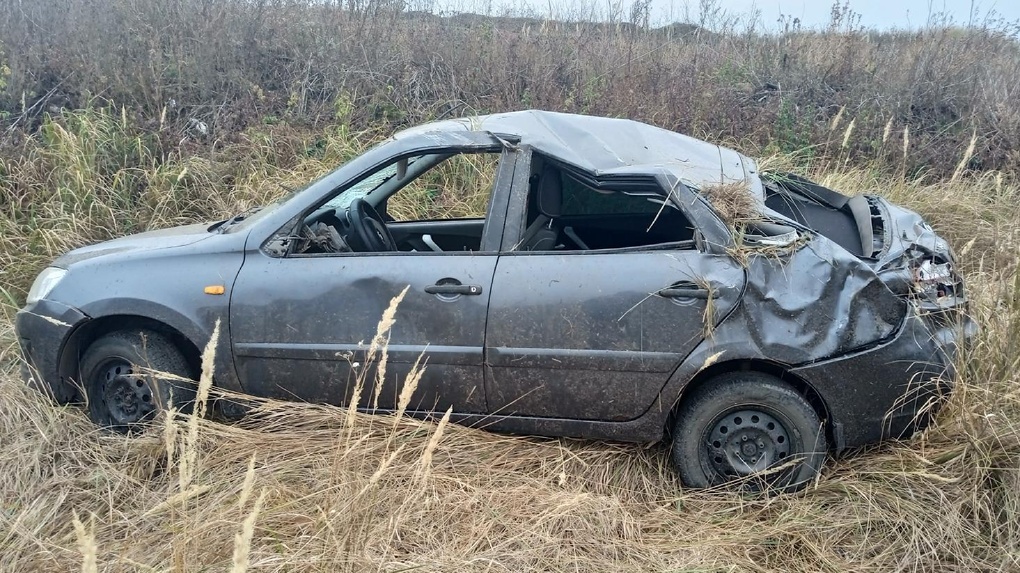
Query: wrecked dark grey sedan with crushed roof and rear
[{"x": 566, "y": 276}]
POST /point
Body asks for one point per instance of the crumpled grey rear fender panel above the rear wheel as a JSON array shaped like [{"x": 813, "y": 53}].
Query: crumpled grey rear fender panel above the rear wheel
[{"x": 818, "y": 304}]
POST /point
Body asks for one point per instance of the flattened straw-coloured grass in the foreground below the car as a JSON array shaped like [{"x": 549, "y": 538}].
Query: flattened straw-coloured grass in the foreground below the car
[{"x": 343, "y": 492}]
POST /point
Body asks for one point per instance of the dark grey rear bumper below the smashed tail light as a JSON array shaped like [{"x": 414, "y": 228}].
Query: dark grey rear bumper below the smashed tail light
[{"x": 895, "y": 389}]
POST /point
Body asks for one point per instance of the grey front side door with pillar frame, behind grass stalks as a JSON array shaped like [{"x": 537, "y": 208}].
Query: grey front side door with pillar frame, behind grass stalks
[{"x": 300, "y": 325}]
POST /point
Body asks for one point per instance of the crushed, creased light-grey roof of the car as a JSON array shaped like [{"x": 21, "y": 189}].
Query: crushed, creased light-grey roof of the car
[{"x": 606, "y": 146}]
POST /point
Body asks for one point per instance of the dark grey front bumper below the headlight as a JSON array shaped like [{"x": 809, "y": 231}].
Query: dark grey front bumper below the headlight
[{"x": 43, "y": 331}]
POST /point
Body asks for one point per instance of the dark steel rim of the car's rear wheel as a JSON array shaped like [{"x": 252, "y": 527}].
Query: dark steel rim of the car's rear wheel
[{"x": 744, "y": 443}]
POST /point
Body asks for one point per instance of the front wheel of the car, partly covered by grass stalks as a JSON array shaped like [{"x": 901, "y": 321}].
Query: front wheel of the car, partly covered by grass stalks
[{"x": 120, "y": 374}]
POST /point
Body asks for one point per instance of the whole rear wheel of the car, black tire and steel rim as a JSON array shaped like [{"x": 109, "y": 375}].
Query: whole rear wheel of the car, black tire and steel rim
[{"x": 737, "y": 427}]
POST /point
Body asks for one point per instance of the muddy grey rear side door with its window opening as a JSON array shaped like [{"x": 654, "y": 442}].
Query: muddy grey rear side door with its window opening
[{"x": 594, "y": 334}]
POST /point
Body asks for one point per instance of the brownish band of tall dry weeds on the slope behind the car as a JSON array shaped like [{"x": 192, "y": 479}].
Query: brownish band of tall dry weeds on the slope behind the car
[{"x": 207, "y": 70}]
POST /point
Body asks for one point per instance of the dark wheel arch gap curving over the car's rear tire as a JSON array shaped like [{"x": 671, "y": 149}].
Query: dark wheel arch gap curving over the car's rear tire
[{"x": 780, "y": 372}]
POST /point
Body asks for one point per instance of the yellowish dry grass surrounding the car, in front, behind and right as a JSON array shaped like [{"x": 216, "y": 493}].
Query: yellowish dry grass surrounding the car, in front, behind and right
[{"x": 298, "y": 487}]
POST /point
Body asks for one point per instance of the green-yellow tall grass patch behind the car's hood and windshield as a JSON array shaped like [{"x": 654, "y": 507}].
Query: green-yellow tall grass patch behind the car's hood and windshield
[{"x": 93, "y": 175}]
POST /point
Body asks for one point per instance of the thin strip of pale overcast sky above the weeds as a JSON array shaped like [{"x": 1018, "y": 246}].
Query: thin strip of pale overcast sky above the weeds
[{"x": 881, "y": 15}]
